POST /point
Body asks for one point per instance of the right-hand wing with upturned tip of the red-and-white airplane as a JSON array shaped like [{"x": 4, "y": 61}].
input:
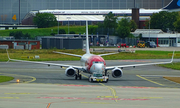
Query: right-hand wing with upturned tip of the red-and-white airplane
[{"x": 134, "y": 65}]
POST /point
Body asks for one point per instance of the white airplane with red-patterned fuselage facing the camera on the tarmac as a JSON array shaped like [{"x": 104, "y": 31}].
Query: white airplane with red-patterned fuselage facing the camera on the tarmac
[{"x": 90, "y": 63}]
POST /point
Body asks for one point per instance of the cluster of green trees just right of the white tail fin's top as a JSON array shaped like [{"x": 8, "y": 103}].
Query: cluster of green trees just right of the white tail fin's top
[{"x": 113, "y": 26}]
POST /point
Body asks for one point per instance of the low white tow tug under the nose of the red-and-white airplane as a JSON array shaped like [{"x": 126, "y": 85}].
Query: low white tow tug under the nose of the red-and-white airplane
[{"x": 98, "y": 77}]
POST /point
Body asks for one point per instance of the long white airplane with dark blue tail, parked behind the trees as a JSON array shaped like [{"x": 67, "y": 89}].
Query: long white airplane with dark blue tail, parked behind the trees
[{"x": 174, "y": 5}]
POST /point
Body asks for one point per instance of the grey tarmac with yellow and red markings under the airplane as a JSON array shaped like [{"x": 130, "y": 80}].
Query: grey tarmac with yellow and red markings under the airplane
[{"x": 47, "y": 87}]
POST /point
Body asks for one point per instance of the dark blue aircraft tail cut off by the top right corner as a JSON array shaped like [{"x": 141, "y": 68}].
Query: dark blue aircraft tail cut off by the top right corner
[{"x": 174, "y": 4}]
